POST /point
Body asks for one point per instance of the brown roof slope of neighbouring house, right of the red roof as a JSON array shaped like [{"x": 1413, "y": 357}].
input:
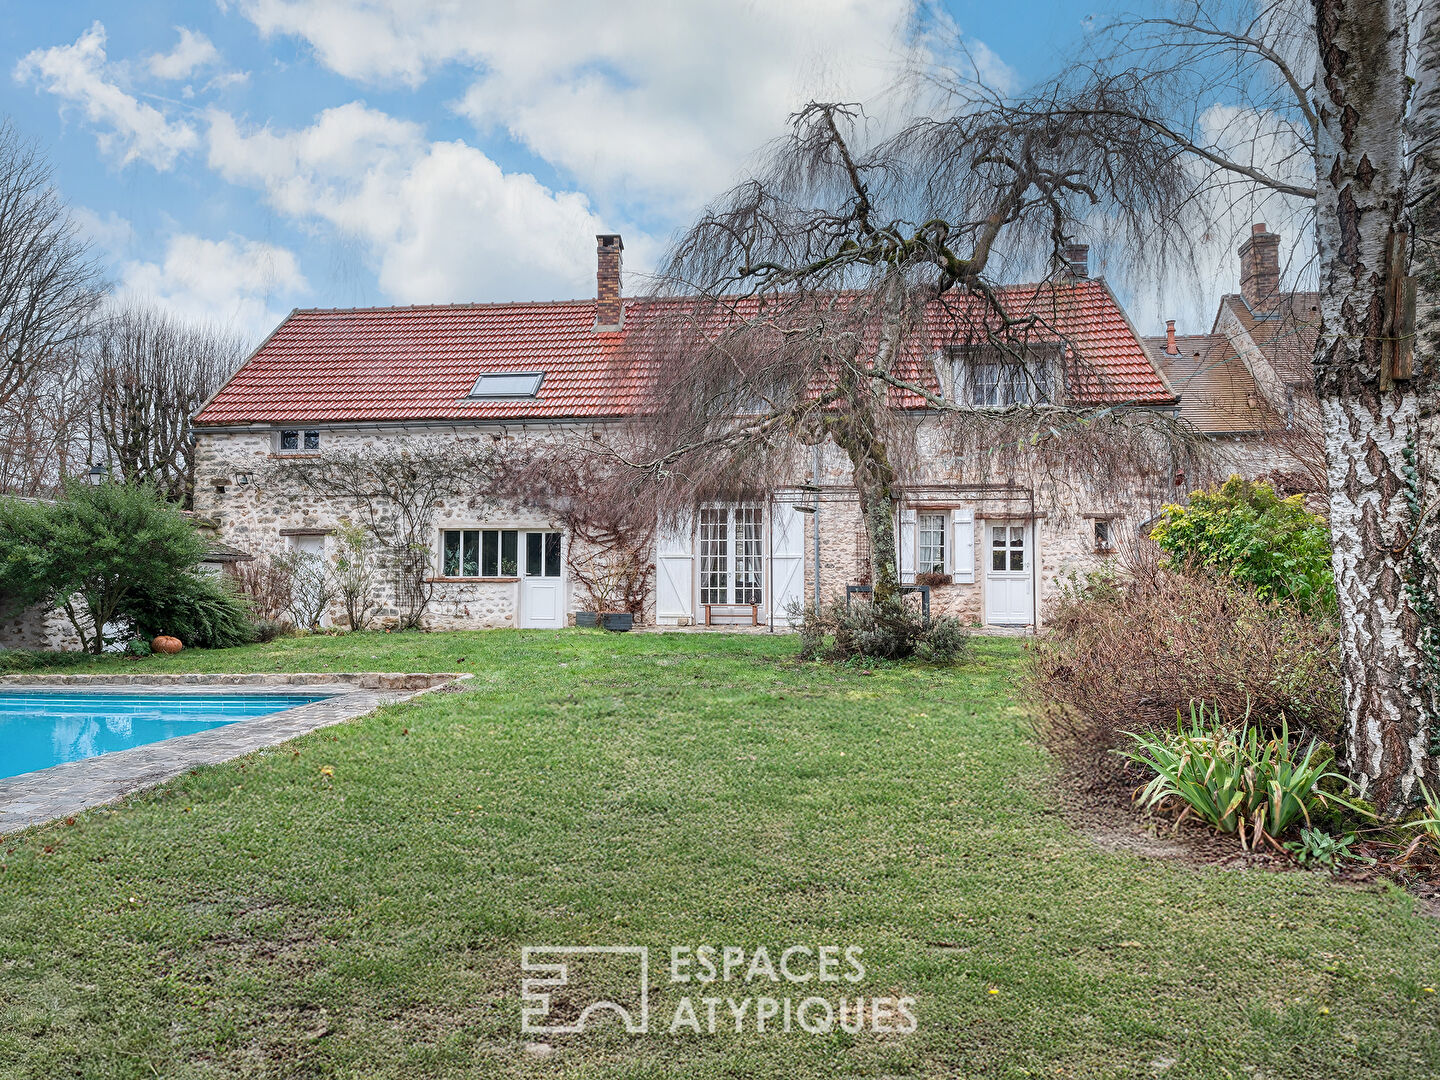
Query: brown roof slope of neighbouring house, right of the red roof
[{"x": 1218, "y": 394}]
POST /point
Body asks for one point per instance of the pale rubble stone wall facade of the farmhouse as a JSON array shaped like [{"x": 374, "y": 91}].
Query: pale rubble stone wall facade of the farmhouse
[{"x": 264, "y": 515}]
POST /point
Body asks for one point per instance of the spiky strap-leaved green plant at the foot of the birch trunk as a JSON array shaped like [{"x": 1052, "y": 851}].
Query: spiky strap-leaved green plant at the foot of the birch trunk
[{"x": 1236, "y": 780}]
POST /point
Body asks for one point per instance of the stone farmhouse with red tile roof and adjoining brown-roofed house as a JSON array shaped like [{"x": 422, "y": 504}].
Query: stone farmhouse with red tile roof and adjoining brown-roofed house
[{"x": 990, "y": 551}]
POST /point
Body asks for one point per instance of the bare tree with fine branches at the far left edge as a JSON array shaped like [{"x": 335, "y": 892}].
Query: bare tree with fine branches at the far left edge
[{"x": 50, "y": 286}]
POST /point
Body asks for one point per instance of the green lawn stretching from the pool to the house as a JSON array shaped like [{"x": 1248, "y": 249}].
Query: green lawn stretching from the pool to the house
[{"x": 267, "y": 919}]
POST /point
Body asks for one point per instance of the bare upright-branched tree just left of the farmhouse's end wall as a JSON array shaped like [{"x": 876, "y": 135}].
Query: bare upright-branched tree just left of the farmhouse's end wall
[{"x": 152, "y": 372}]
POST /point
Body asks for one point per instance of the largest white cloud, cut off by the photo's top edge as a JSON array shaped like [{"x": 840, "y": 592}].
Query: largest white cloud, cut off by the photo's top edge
[{"x": 652, "y": 100}]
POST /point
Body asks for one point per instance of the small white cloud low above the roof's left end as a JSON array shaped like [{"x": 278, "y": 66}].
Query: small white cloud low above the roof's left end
[{"x": 234, "y": 283}]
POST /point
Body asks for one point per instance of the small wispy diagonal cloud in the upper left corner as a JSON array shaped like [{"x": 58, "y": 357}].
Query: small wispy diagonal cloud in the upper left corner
[{"x": 126, "y": 127}]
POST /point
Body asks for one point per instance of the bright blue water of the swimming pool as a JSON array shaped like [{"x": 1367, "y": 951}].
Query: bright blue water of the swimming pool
[{"x": 44, "y": 728}]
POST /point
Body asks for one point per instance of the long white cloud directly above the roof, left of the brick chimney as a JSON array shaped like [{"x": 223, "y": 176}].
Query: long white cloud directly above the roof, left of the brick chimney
[{"x": 437, "y": 221}]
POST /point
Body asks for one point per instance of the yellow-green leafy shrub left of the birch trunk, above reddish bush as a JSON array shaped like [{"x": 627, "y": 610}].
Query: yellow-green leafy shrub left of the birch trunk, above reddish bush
[{"x": 1249, "y": 534}]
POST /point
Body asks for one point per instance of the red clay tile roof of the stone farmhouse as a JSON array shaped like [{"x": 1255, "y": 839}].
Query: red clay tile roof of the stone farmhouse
[{"x": 366, "y": 365}]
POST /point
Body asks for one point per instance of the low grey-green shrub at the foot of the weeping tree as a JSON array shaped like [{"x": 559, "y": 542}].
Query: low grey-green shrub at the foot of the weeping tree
[{"x": 878, "y": 631}]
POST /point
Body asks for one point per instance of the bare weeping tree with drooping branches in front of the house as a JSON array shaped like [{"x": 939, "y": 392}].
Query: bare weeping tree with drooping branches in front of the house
[{"x": 834, "y": 296}]
